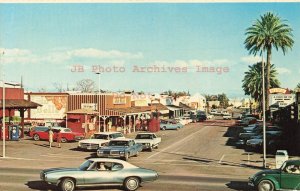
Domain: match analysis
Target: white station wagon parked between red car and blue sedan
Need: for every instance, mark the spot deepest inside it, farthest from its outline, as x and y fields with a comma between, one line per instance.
x=99, y=140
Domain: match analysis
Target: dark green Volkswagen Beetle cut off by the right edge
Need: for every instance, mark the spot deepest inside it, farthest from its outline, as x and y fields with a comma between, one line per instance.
x=284, y=178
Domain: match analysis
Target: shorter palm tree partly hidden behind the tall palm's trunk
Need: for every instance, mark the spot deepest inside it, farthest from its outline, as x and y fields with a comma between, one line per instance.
x=252, y=82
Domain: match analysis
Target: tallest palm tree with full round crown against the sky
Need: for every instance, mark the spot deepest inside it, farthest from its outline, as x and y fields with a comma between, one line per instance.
x=266, y=33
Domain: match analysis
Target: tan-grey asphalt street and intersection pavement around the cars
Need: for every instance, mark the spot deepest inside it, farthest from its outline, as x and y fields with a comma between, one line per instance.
x=193, y=158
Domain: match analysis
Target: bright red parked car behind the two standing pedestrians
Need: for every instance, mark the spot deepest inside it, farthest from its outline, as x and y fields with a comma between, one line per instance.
x=42, y=133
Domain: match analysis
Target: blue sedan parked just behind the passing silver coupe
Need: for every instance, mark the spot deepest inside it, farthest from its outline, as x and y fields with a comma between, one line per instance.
x=123, y=149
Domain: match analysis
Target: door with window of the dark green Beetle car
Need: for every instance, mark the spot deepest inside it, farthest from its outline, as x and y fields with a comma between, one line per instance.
x=290, y=179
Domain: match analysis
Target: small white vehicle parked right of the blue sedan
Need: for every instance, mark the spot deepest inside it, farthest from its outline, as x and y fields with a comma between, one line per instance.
x=148, y=140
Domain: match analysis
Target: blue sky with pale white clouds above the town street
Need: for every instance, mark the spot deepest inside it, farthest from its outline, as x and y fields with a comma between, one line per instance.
x=42, y=42
